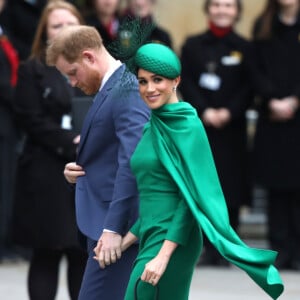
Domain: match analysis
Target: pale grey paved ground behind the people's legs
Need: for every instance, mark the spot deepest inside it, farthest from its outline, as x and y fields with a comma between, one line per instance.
x=208, y=284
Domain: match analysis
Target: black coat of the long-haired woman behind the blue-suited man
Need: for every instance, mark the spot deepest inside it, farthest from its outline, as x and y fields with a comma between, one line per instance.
x=44, y=214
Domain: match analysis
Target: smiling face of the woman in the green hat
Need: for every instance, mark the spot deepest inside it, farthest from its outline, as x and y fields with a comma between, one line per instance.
x=156, y=90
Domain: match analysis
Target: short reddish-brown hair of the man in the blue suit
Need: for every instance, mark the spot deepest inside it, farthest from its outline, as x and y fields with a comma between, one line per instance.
x=71, y=42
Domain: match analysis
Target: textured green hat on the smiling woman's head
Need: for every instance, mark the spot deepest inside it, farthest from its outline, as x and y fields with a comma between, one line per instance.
x=158, y=59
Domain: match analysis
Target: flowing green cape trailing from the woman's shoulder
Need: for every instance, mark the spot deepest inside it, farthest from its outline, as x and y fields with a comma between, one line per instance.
x=183, y=148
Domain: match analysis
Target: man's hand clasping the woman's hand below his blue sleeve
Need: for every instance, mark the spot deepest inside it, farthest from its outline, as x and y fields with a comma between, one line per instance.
x=108, y=249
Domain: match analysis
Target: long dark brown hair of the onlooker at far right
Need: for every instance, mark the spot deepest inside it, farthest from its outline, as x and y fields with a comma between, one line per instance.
x=264, y=26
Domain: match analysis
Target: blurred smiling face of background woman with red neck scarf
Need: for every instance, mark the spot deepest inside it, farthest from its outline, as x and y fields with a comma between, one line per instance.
x=223, y=13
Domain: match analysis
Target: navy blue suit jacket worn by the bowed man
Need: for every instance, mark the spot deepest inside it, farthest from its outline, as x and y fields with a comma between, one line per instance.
x=106, y=197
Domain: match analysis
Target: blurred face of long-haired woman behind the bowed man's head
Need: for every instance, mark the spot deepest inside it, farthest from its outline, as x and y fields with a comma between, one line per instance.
x=58, y=19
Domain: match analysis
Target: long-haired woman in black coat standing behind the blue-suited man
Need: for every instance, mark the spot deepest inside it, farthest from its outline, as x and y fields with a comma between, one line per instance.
x=44, y=212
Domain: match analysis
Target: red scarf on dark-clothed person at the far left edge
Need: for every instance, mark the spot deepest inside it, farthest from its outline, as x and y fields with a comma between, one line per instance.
x=12, y=57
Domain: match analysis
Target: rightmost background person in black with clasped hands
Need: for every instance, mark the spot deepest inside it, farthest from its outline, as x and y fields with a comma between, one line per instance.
x=276, y=36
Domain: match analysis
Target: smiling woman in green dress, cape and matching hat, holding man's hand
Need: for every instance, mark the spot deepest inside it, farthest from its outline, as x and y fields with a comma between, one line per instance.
x=180, y=193
